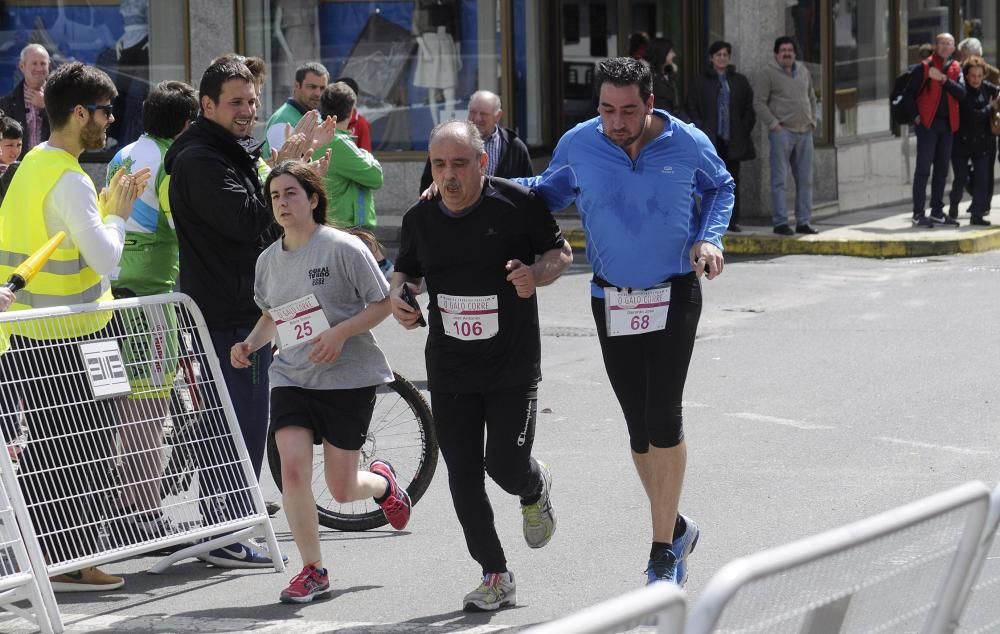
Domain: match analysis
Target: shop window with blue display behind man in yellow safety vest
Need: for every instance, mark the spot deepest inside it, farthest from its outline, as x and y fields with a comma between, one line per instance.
x=135, y=41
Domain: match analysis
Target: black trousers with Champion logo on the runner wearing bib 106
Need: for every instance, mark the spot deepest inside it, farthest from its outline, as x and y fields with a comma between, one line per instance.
x=507, y=418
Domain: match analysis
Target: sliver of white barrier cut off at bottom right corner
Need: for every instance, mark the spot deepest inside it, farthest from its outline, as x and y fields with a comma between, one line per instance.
x=978, y=610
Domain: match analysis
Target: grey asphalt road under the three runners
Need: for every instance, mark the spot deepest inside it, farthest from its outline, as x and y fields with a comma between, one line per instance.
x=822, y=390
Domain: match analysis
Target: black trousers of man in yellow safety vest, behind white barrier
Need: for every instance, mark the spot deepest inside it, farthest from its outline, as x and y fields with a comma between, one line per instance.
x=65, y=470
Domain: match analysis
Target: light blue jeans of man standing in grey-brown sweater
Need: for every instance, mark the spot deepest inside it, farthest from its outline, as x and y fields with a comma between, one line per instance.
x=791, y=149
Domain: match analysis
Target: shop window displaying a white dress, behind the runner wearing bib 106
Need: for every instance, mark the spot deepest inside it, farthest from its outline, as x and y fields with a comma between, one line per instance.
x=416, y=62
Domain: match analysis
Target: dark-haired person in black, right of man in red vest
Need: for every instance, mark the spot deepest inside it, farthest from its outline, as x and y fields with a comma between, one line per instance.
x=974, y=142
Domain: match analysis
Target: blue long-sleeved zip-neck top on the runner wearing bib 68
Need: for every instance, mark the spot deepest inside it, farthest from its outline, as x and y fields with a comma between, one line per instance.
x=640, y=218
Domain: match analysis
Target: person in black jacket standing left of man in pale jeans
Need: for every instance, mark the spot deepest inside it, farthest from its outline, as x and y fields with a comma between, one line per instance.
x=721, y=105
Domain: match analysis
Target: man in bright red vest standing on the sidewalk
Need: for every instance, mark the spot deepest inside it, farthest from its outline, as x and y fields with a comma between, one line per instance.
x=936, y=88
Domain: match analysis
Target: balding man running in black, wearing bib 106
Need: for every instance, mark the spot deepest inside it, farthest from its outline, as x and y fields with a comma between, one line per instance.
x=476, y=245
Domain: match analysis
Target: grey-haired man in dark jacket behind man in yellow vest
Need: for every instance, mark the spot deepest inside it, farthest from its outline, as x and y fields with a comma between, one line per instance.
x=26, y=103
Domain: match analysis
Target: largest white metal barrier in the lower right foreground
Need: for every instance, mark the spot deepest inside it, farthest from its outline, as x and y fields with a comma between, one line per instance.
x=900, y=571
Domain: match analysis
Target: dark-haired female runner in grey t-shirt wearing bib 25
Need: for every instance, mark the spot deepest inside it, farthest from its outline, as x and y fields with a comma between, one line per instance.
x=321, y=293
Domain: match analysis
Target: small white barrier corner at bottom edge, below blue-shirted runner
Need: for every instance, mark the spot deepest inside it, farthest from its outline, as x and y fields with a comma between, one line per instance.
x=661, y=604
